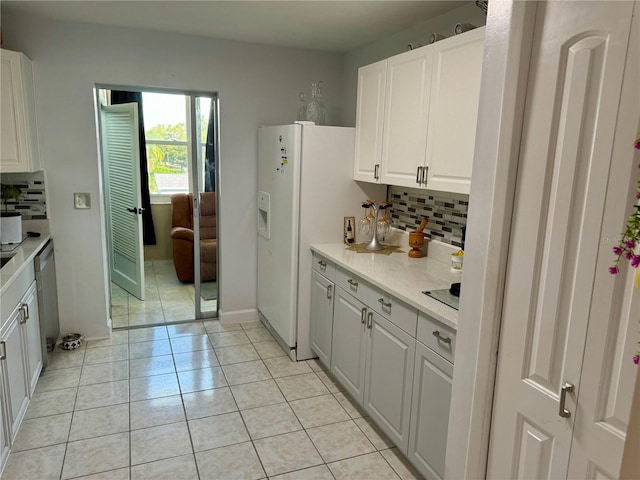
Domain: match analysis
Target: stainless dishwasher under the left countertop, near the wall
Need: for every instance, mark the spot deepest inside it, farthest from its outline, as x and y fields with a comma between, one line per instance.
x=45, y=266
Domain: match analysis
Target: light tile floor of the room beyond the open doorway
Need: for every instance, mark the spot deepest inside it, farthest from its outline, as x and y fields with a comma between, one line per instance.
x=166, y=299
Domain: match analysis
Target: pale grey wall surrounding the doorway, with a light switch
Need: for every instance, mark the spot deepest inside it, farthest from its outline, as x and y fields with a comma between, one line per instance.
x=256, y=85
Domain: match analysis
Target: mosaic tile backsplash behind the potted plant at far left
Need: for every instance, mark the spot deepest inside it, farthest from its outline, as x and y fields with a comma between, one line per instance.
x=32, y=204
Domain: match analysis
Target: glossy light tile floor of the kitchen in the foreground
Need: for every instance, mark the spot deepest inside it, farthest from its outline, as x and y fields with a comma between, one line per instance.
x=193, y=401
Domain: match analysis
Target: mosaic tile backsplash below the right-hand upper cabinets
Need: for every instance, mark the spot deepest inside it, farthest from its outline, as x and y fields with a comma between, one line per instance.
x=447, y=212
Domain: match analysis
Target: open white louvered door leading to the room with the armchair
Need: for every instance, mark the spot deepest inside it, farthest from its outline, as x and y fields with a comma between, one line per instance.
x=121, y=158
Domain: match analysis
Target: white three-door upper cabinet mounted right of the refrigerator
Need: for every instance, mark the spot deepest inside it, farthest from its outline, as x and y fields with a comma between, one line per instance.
x=417, y=114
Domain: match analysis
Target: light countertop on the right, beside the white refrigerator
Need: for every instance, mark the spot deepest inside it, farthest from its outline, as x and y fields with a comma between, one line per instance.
x=401, y=276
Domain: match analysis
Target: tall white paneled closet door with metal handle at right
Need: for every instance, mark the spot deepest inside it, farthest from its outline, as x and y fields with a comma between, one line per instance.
x=571, y=195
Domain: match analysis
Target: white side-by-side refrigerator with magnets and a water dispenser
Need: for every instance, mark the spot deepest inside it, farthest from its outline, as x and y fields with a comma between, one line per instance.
x=305, y=189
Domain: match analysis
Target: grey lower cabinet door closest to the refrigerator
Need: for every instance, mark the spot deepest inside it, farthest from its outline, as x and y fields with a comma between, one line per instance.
x=322, y=291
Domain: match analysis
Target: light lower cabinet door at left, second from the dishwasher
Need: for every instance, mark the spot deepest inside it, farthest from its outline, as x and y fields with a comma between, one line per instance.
x=14, y=372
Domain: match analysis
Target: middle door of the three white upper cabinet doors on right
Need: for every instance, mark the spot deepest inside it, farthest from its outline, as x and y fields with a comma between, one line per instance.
x=405, y=121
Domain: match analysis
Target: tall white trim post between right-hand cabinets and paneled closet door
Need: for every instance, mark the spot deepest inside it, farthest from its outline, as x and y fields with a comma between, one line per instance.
x=509, y=32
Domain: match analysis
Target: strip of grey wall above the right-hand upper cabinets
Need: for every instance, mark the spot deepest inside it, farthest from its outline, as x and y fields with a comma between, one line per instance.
x=395, y=44
